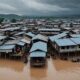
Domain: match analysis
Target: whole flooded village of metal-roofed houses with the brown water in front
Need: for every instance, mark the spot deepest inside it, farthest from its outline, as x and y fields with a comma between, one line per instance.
x=40, y=49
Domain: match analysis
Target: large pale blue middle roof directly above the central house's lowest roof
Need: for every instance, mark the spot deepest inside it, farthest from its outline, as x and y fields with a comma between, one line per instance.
x=39, y=46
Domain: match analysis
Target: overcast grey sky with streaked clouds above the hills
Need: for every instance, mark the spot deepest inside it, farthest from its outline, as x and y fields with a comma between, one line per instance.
x=40, y=7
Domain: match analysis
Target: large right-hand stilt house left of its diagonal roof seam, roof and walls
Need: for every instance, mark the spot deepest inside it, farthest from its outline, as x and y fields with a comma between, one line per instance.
x=65, y=47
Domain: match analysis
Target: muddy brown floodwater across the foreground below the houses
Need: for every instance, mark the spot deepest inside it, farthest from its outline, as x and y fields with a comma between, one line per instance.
x=55, y=70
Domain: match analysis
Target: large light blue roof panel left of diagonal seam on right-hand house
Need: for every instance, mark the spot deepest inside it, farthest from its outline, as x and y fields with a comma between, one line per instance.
x=64, y=42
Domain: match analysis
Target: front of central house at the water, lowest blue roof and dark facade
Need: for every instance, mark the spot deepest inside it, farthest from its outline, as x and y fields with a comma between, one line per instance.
x=37, y=58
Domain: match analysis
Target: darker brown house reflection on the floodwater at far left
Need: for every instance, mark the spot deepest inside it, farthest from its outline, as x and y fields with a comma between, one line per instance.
x=13, y=65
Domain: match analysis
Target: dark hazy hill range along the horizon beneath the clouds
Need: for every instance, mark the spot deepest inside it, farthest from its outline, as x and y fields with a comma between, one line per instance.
x=11, y=16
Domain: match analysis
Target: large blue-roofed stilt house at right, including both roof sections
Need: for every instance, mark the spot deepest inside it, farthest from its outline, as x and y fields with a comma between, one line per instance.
x=67, y=48
